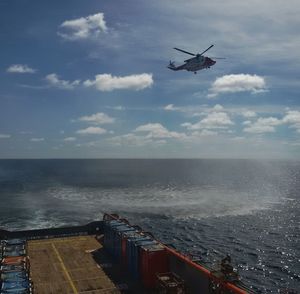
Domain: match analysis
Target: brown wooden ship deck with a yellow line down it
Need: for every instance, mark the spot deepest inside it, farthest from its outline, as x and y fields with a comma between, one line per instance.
x=66, y=265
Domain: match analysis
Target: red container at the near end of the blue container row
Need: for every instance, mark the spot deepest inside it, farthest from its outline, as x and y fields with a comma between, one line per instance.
x=153, y=260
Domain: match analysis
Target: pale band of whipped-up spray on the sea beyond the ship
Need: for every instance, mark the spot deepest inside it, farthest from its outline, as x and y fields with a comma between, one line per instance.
x=191, y=202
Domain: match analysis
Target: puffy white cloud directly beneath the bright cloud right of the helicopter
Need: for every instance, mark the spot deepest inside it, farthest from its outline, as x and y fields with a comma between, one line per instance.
x=214, y=120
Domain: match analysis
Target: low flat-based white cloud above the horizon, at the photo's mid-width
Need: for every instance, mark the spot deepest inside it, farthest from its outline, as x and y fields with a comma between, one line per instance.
x=156, y=130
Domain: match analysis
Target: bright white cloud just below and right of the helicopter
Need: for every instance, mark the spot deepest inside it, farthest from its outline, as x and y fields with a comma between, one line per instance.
x=237, y=83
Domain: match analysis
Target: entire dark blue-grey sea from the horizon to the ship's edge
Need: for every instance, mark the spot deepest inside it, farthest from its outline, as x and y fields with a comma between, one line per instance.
x=206, y=208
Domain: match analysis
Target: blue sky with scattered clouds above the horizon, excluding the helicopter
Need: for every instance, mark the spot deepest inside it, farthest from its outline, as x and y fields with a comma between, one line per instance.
x=89, y=79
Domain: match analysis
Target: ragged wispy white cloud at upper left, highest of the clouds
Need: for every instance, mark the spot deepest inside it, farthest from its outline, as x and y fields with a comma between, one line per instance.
x=84, y=27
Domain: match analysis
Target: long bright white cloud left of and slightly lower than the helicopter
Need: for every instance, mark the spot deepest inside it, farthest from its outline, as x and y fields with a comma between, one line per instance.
x=107, y=82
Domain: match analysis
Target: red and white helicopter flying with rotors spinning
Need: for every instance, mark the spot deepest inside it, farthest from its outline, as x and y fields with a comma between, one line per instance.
x=195, y=63
